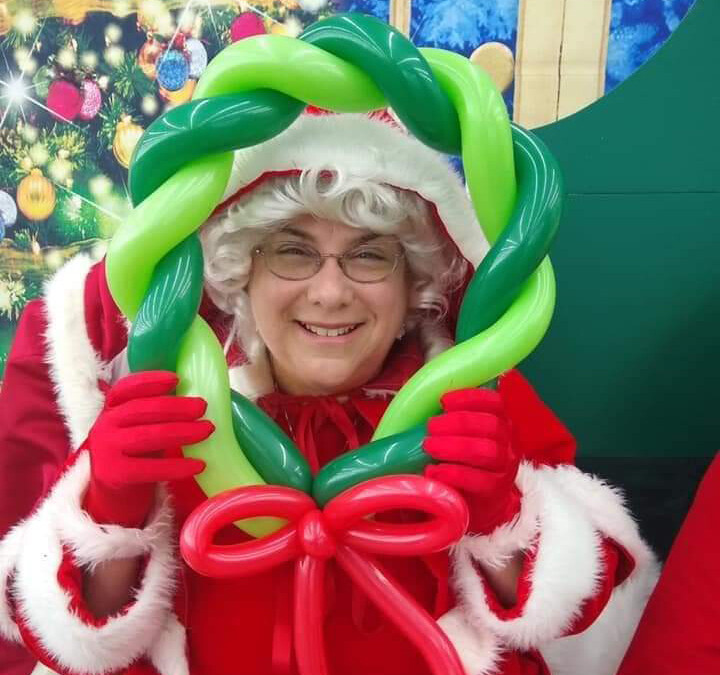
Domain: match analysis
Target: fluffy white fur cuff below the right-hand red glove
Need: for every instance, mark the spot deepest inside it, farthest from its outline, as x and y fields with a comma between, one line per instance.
x=565, y=569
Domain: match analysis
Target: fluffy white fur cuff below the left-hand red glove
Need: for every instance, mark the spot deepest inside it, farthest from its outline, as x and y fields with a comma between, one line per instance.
x=61, y=523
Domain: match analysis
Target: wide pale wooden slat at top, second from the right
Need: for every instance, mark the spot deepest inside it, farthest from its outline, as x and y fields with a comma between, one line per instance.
x=537, y=64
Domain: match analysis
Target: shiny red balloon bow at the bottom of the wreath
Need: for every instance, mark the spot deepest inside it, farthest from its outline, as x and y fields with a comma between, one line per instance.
x=342, y=530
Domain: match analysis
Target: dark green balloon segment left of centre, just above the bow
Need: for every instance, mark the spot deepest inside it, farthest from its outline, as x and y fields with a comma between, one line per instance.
x=273, y=455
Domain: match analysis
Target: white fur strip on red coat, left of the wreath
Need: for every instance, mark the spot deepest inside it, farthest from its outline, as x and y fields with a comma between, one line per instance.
x=74, y=366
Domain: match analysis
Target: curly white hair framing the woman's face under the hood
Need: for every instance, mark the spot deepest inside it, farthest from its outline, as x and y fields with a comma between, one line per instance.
x=228, y=240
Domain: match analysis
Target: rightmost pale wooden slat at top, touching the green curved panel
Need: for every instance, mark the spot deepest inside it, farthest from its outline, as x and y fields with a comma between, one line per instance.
x=584, y=54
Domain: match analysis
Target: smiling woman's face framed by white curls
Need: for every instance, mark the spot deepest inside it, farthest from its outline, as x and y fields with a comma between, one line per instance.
x=294, y=317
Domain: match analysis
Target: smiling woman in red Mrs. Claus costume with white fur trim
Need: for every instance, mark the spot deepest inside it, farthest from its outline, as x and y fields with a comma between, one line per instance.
x=330, y=270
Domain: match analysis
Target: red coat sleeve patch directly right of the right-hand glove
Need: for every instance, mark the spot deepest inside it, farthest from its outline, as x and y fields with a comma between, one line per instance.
x=537, y=434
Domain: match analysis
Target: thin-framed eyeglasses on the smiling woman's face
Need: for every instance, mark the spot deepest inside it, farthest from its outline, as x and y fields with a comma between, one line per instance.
x=296, y=261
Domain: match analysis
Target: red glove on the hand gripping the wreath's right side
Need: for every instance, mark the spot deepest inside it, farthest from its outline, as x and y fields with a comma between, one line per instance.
x=472, y=442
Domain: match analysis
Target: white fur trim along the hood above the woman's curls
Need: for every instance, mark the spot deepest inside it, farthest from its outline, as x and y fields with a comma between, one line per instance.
x=368, y=149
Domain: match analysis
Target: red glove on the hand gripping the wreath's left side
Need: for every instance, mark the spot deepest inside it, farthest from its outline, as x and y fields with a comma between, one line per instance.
x=128, y=444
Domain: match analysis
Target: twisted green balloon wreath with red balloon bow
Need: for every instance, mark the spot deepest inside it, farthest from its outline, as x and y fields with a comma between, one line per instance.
x=250, y=92
